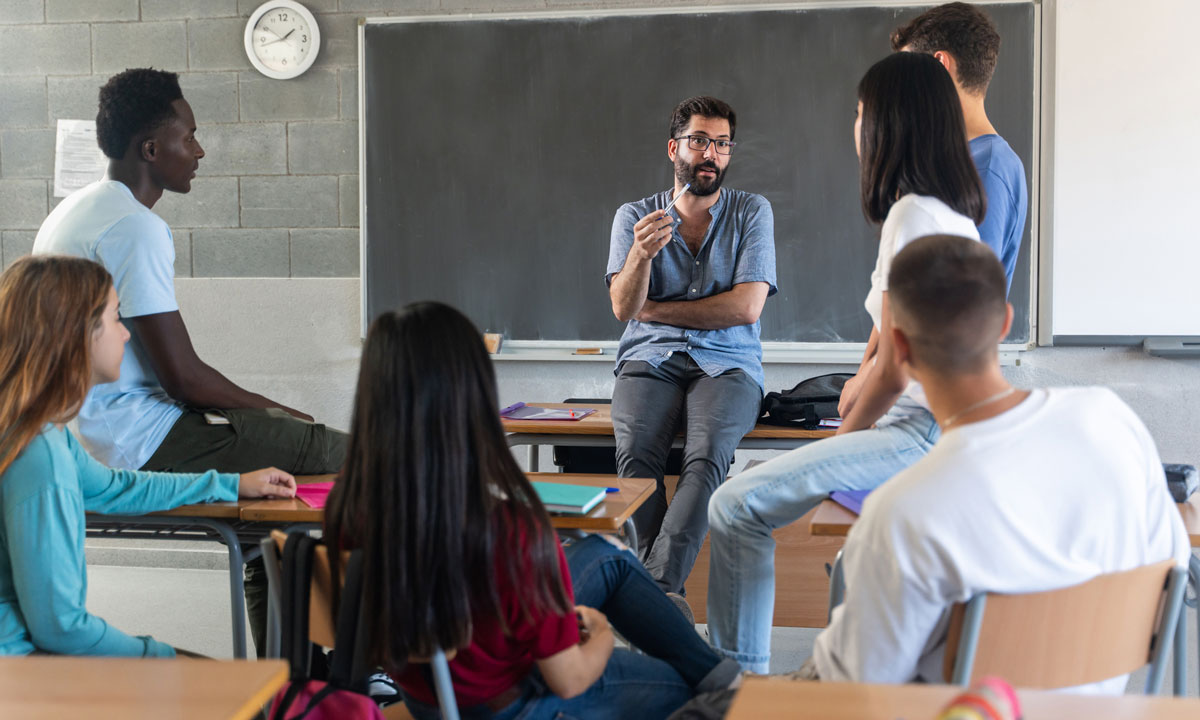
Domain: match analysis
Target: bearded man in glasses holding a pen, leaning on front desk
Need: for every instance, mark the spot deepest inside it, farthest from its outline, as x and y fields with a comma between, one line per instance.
x=691, y=287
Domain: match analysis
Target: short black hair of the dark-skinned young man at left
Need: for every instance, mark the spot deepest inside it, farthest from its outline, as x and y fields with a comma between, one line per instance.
x=135, y=103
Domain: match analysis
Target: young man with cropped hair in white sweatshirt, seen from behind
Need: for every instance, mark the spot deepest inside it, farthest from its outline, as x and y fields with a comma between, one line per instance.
x=1025, y=491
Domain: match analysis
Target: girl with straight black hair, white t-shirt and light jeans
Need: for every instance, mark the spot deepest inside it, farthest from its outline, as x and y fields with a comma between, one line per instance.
x=917, y=179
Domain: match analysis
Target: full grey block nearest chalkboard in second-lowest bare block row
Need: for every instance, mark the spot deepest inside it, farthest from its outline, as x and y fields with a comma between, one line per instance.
x=291, y=202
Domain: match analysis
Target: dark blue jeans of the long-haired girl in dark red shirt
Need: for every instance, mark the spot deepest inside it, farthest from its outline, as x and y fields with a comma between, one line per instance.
x=677, y=663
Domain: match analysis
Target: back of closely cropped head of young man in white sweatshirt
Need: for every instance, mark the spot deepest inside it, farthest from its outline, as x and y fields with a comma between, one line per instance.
x=947, y=296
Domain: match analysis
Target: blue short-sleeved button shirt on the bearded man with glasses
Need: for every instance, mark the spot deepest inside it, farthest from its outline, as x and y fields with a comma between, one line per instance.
x=740, y=248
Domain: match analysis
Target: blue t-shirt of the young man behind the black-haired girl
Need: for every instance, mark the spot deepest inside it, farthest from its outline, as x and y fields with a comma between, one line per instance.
x=1009, y=201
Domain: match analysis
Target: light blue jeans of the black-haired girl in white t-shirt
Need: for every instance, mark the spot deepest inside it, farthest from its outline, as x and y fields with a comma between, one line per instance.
x=746, y=512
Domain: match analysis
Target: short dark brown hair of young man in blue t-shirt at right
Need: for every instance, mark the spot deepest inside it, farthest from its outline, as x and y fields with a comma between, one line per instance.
x=964, y=32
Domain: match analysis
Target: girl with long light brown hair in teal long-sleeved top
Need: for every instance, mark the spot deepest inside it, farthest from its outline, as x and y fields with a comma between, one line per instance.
x=61, y=335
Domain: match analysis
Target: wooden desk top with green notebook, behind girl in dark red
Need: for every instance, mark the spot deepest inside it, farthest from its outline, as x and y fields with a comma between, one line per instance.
x=609, y=517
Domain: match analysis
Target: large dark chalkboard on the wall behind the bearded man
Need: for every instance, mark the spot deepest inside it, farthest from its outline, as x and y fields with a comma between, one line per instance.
x=497, y=151
